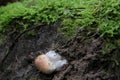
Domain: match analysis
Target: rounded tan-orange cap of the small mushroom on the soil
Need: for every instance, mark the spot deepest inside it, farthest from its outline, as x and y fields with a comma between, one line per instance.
x=44, y=64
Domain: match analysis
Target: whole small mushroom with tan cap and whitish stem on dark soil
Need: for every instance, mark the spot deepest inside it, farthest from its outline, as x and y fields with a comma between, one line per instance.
x=49, y=62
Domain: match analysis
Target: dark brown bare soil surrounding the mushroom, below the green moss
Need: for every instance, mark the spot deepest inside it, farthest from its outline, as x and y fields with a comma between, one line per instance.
x=83, y=54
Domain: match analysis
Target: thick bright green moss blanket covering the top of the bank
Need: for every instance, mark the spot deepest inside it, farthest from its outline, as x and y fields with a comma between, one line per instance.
x=81, y=13
